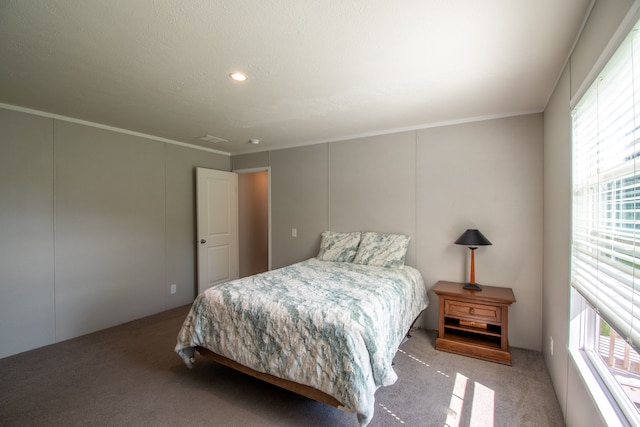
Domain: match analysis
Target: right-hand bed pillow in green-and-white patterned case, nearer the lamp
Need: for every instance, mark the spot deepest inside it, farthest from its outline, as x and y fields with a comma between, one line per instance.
x=382, y=250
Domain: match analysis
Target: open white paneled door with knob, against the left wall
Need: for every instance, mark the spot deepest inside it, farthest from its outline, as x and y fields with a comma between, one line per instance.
x=217, y=206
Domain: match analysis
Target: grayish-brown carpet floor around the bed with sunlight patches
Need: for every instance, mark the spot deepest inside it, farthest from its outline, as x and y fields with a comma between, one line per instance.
x=129, y=375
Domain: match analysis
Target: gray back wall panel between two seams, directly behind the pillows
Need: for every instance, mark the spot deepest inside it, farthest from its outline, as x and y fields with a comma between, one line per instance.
x=372, y=186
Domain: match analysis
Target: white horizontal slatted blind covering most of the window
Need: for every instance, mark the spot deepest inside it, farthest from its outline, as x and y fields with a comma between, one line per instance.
x=606, y=192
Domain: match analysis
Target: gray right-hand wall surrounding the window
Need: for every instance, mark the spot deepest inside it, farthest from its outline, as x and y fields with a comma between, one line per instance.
x=574, y=398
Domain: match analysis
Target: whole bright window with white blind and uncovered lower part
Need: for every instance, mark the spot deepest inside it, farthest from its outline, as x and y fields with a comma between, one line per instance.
x=606, y=228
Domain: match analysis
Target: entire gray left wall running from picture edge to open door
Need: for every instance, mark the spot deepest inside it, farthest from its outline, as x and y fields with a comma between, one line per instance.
x=94, y=227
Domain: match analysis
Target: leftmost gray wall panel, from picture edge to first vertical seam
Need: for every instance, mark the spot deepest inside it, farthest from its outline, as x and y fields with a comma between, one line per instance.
x=27, y=310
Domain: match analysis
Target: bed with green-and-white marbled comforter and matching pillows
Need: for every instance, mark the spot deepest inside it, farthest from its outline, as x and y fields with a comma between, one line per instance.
x=326, y=328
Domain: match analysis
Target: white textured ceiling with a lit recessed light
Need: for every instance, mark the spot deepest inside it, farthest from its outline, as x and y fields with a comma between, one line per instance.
x=318, y=70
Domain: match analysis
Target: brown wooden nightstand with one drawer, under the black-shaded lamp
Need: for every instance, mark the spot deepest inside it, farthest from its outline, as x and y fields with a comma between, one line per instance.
x=474, y=323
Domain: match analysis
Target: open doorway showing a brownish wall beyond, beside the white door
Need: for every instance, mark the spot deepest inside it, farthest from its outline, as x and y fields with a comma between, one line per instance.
x=254, y=221
